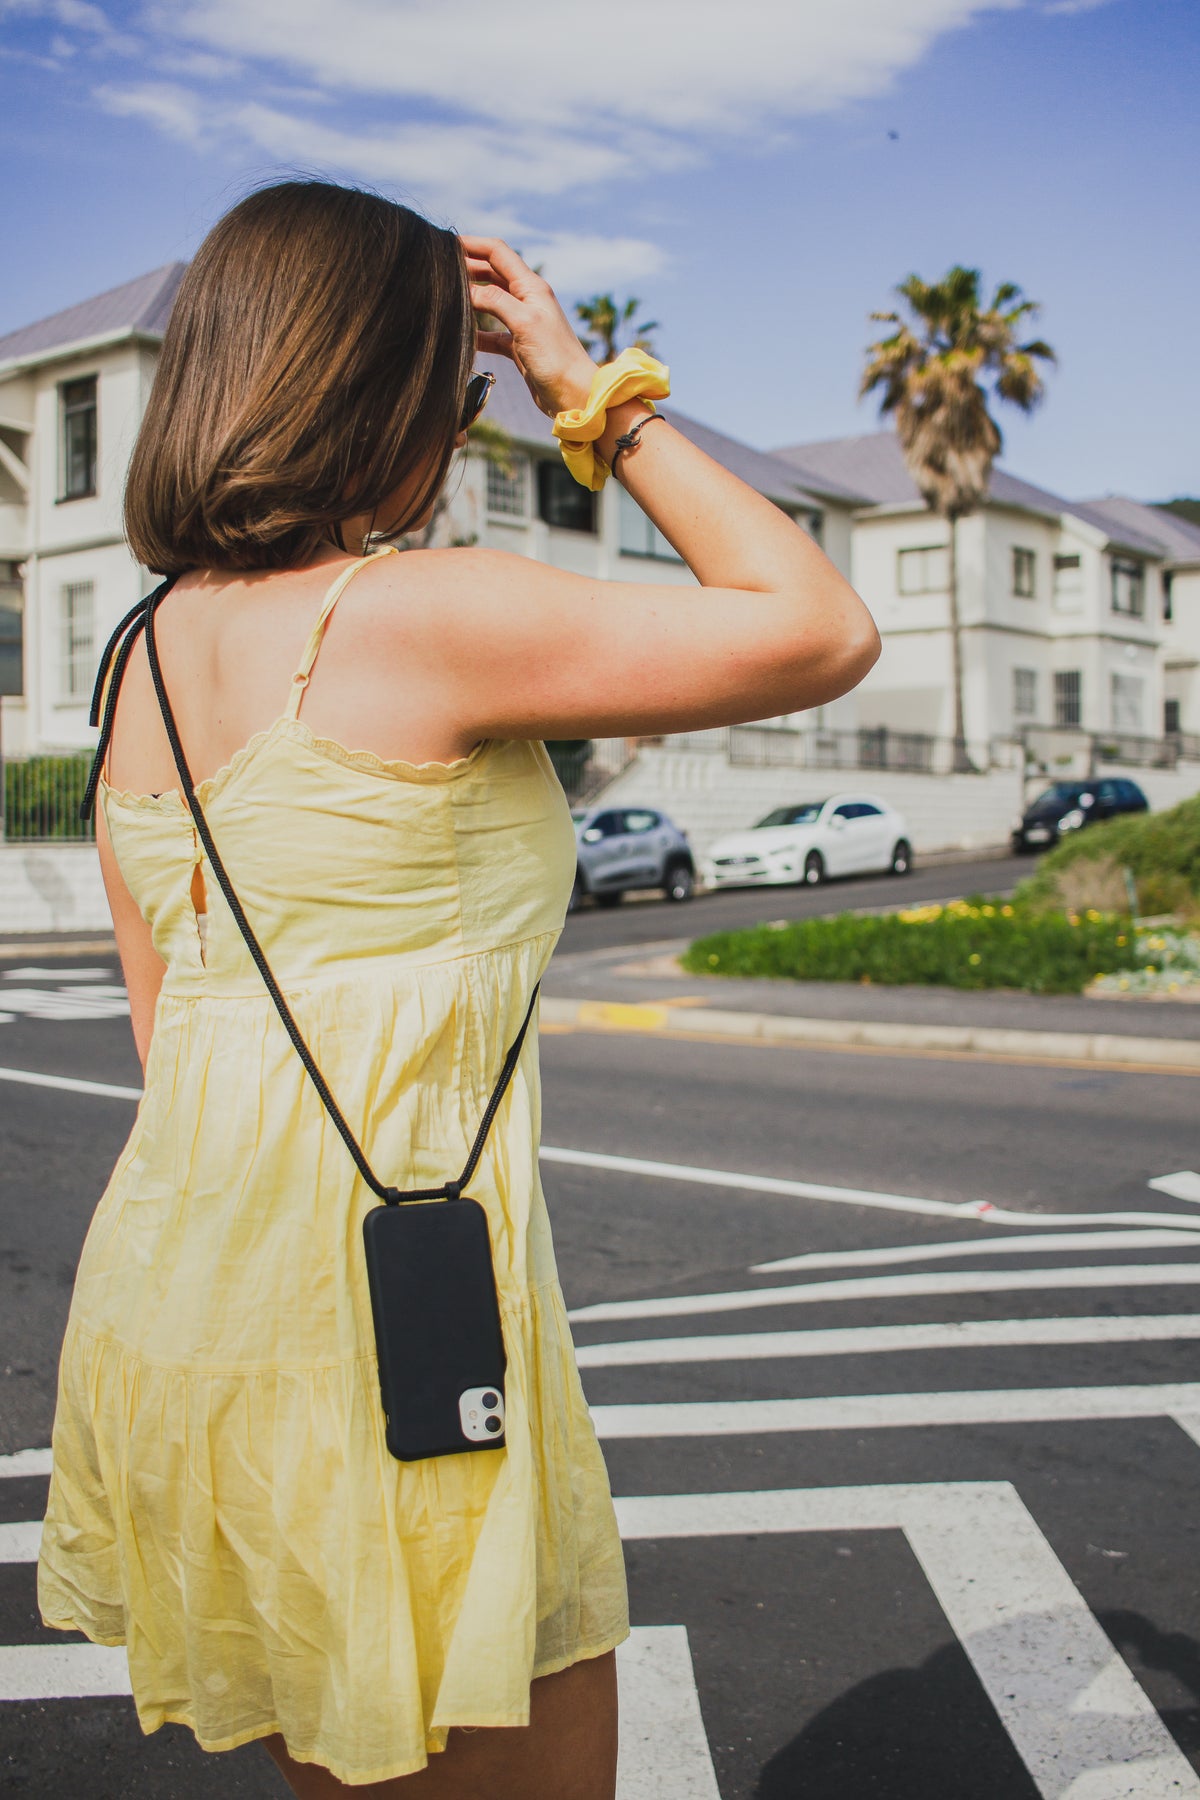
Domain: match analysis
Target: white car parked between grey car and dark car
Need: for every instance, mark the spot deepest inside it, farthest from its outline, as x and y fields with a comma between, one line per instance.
x=848, y=834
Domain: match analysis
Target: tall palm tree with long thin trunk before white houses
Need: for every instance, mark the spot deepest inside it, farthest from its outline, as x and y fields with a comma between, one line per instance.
x=933, y=373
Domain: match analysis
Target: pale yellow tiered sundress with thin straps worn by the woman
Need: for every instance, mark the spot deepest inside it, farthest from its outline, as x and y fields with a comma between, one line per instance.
x=222, y=1500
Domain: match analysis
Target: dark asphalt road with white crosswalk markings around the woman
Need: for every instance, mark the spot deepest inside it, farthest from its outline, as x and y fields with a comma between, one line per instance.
x=915, y=1516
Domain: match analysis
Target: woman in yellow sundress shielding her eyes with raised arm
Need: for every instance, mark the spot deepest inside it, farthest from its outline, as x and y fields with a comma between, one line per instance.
x=366, y=735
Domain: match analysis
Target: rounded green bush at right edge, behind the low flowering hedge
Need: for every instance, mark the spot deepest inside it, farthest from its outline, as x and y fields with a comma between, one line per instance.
x=1161, y=849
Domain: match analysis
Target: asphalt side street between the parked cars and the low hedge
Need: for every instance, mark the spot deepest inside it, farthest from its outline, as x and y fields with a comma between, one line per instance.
x=647, y=919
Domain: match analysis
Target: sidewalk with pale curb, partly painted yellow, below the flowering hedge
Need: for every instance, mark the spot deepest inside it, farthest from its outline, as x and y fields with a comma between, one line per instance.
x=645, y=991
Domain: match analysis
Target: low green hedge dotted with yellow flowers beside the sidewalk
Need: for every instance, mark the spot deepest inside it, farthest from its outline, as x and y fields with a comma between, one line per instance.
x=971, y=944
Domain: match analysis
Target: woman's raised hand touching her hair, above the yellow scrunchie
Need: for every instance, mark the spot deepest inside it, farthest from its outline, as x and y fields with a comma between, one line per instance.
x=535, y=334
